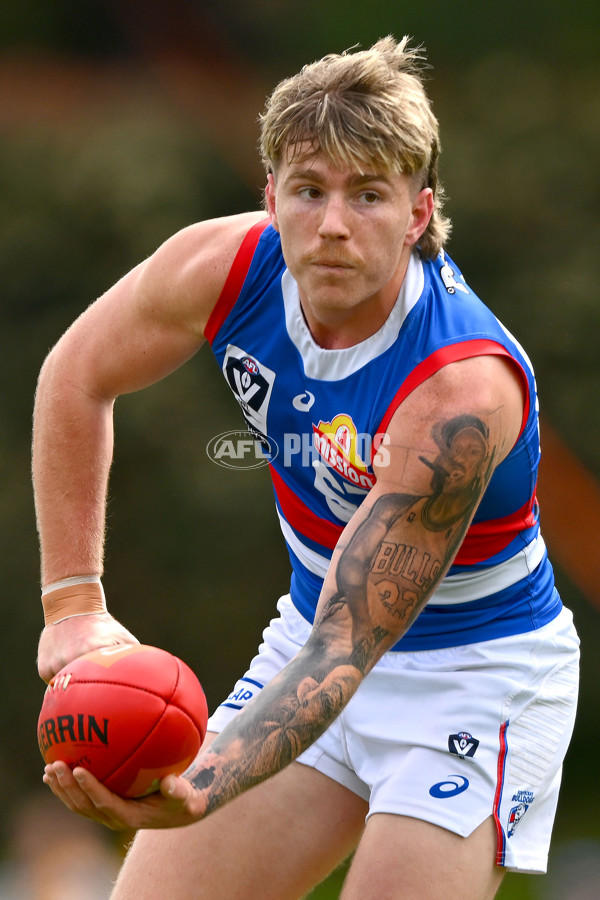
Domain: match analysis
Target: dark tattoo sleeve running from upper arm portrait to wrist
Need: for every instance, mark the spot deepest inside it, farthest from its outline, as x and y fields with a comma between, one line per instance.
x=380, y=579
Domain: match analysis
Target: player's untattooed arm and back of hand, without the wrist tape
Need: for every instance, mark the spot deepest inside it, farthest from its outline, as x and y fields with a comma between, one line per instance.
x=143, y=328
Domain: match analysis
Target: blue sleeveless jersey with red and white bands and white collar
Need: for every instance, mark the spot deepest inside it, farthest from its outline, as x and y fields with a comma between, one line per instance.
x=322, y=414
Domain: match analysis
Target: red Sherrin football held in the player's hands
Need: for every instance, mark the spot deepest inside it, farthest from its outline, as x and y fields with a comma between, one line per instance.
x=128, y=714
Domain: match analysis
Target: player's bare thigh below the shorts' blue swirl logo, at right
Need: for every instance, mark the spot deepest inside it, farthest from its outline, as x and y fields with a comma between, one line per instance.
x=400, y=857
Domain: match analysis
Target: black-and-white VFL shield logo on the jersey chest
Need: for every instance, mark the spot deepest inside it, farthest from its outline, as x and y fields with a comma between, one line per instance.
x=251, y=383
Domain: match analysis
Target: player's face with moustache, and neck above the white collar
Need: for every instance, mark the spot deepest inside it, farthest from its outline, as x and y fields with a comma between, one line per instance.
x=346, y=237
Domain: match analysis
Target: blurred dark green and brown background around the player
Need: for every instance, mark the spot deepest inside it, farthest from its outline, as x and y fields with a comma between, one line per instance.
x=121, y=122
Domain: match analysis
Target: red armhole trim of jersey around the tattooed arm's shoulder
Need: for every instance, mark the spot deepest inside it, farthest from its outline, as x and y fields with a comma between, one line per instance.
x=437, y=361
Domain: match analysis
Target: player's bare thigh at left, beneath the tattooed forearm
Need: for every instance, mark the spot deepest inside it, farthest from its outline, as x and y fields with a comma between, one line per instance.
x=274, y=842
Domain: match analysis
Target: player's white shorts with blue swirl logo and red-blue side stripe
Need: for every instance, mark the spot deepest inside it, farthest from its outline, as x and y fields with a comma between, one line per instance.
x=449, y=736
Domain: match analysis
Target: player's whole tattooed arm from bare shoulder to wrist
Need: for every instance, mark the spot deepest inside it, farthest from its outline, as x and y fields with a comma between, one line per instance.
x=390, y=559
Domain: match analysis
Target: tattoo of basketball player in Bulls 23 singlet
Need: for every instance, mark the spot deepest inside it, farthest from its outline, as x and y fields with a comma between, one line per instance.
x=396, y=557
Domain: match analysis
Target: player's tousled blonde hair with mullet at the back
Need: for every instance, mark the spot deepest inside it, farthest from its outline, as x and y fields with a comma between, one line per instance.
x=364, y=108
